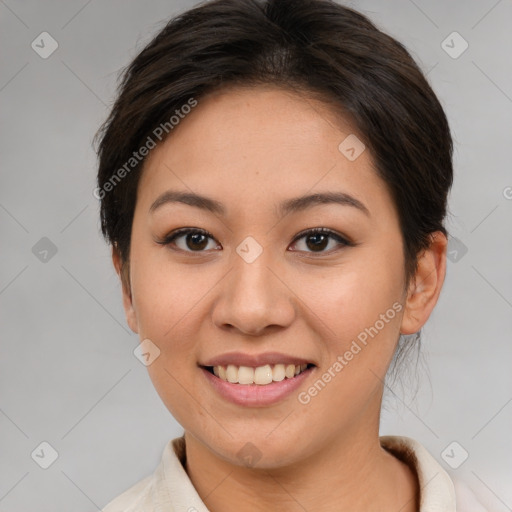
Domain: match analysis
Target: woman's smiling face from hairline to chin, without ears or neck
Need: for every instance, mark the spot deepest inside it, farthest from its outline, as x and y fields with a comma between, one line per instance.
x=251, y=283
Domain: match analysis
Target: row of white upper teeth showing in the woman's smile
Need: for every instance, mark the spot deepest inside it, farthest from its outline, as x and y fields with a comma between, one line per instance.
x=261, y=375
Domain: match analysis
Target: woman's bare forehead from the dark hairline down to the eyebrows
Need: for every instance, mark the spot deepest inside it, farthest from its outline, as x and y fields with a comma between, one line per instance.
x=244, y=145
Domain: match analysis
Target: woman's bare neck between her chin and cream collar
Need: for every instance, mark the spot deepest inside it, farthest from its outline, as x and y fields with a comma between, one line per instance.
x=351, y=472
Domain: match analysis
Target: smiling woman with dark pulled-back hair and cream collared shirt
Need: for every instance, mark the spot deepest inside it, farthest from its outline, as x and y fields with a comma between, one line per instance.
x=273, y=180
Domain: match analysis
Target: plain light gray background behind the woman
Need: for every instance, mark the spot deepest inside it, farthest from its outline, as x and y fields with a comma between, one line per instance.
x=68, y=375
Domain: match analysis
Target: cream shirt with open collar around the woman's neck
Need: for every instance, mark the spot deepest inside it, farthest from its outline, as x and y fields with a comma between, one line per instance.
x=169, y=489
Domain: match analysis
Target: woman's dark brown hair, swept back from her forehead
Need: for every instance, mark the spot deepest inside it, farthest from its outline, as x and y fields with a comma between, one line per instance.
x=316, y=47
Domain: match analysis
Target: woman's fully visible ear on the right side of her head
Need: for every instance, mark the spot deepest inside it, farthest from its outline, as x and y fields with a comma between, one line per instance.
x=425, y=285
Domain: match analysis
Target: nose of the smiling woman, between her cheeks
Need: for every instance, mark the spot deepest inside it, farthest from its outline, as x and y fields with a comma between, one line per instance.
x=253, y=298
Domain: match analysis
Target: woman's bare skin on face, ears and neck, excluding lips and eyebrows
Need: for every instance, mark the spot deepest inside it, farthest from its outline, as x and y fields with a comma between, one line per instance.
x=251, y=149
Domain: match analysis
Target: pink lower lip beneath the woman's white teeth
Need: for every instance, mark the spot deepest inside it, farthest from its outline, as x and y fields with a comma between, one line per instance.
x=256, y=395
